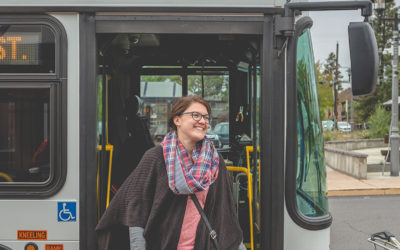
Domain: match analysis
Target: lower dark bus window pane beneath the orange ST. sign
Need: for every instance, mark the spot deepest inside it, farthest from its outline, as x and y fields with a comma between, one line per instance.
x=24, y=135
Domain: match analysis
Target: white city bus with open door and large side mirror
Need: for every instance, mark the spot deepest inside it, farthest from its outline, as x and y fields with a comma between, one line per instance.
x=86, y=87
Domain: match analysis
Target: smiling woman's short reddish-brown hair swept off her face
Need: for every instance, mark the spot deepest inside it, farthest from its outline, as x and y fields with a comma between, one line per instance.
x=181, y=104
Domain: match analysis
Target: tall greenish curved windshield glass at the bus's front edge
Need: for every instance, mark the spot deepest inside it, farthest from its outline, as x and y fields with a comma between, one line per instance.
x=311, y=176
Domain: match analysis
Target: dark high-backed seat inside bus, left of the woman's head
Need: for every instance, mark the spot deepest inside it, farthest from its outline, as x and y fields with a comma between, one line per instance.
x=135, y=145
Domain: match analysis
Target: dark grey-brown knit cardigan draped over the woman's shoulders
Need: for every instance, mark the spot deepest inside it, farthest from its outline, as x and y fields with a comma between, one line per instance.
x=145, y=200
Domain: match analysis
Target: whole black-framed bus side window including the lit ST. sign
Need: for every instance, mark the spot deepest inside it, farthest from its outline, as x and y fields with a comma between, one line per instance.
x=33, y=121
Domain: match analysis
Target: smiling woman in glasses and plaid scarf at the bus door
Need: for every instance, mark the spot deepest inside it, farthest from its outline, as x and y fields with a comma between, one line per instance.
x=154, y=202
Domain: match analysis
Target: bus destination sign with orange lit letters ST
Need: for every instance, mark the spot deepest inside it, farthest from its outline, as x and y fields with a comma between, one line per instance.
x=19, y=48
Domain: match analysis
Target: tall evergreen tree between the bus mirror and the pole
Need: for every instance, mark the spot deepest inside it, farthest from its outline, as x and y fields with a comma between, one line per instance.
x=365, y=106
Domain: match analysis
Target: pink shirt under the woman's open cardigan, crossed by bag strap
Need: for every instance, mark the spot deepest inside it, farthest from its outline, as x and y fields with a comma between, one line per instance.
x=190, y=222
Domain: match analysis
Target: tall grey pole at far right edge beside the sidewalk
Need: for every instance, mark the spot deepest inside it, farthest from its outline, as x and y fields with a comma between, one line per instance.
x=394, y=135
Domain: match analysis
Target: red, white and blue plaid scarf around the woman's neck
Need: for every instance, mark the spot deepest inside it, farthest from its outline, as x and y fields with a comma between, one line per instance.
x=185, y=176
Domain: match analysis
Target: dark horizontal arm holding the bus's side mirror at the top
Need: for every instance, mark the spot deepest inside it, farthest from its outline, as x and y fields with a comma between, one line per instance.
x=365, y=6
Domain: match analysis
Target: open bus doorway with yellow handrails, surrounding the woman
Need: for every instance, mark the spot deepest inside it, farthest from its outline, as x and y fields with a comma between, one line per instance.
x=143, y=69
